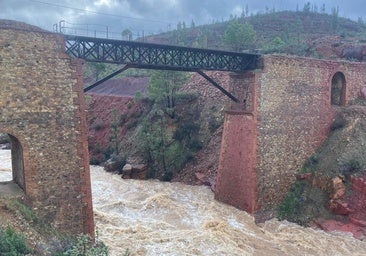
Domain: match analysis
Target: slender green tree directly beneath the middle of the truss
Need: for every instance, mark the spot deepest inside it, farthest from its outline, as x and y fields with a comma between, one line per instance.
x=163, y=89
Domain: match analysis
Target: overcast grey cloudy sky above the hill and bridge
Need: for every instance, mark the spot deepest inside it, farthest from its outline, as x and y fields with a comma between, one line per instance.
x=151, y=16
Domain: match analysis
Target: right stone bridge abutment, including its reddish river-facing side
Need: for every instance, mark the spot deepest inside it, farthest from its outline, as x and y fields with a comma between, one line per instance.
x=263, y=146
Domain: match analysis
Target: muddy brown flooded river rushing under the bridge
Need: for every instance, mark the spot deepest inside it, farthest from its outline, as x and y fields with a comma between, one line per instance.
x=154, y=218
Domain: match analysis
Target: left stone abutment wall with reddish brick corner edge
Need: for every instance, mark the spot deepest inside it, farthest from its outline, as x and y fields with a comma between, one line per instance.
x=42, y=107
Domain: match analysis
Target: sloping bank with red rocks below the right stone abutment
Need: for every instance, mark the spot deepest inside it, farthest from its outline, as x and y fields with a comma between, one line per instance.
x=330, y=191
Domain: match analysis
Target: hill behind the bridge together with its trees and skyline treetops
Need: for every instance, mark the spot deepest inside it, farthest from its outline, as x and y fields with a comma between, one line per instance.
x=272, y=31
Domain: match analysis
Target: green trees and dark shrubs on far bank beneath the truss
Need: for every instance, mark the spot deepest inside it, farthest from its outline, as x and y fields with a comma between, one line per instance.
x=166, y=139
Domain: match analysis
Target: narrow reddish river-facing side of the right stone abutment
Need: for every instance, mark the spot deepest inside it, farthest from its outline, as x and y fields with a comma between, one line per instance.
x=236, y=178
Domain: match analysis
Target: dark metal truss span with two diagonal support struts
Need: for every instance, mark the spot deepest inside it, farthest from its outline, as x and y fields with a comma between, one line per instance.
x=155, y=56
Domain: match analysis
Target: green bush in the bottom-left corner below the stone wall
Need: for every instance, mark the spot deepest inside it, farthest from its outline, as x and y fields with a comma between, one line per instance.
x=12, y=243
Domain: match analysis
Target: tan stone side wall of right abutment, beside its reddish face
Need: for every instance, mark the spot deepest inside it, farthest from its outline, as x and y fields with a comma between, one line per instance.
x=294, y=117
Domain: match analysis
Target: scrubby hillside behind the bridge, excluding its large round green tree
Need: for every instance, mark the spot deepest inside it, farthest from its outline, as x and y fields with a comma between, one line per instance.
x=300, y=32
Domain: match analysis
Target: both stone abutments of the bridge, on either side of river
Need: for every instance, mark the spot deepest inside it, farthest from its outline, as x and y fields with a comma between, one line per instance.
x=283, y=113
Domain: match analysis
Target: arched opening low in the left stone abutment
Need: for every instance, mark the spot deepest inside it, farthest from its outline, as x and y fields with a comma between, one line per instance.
x=12, y=167
